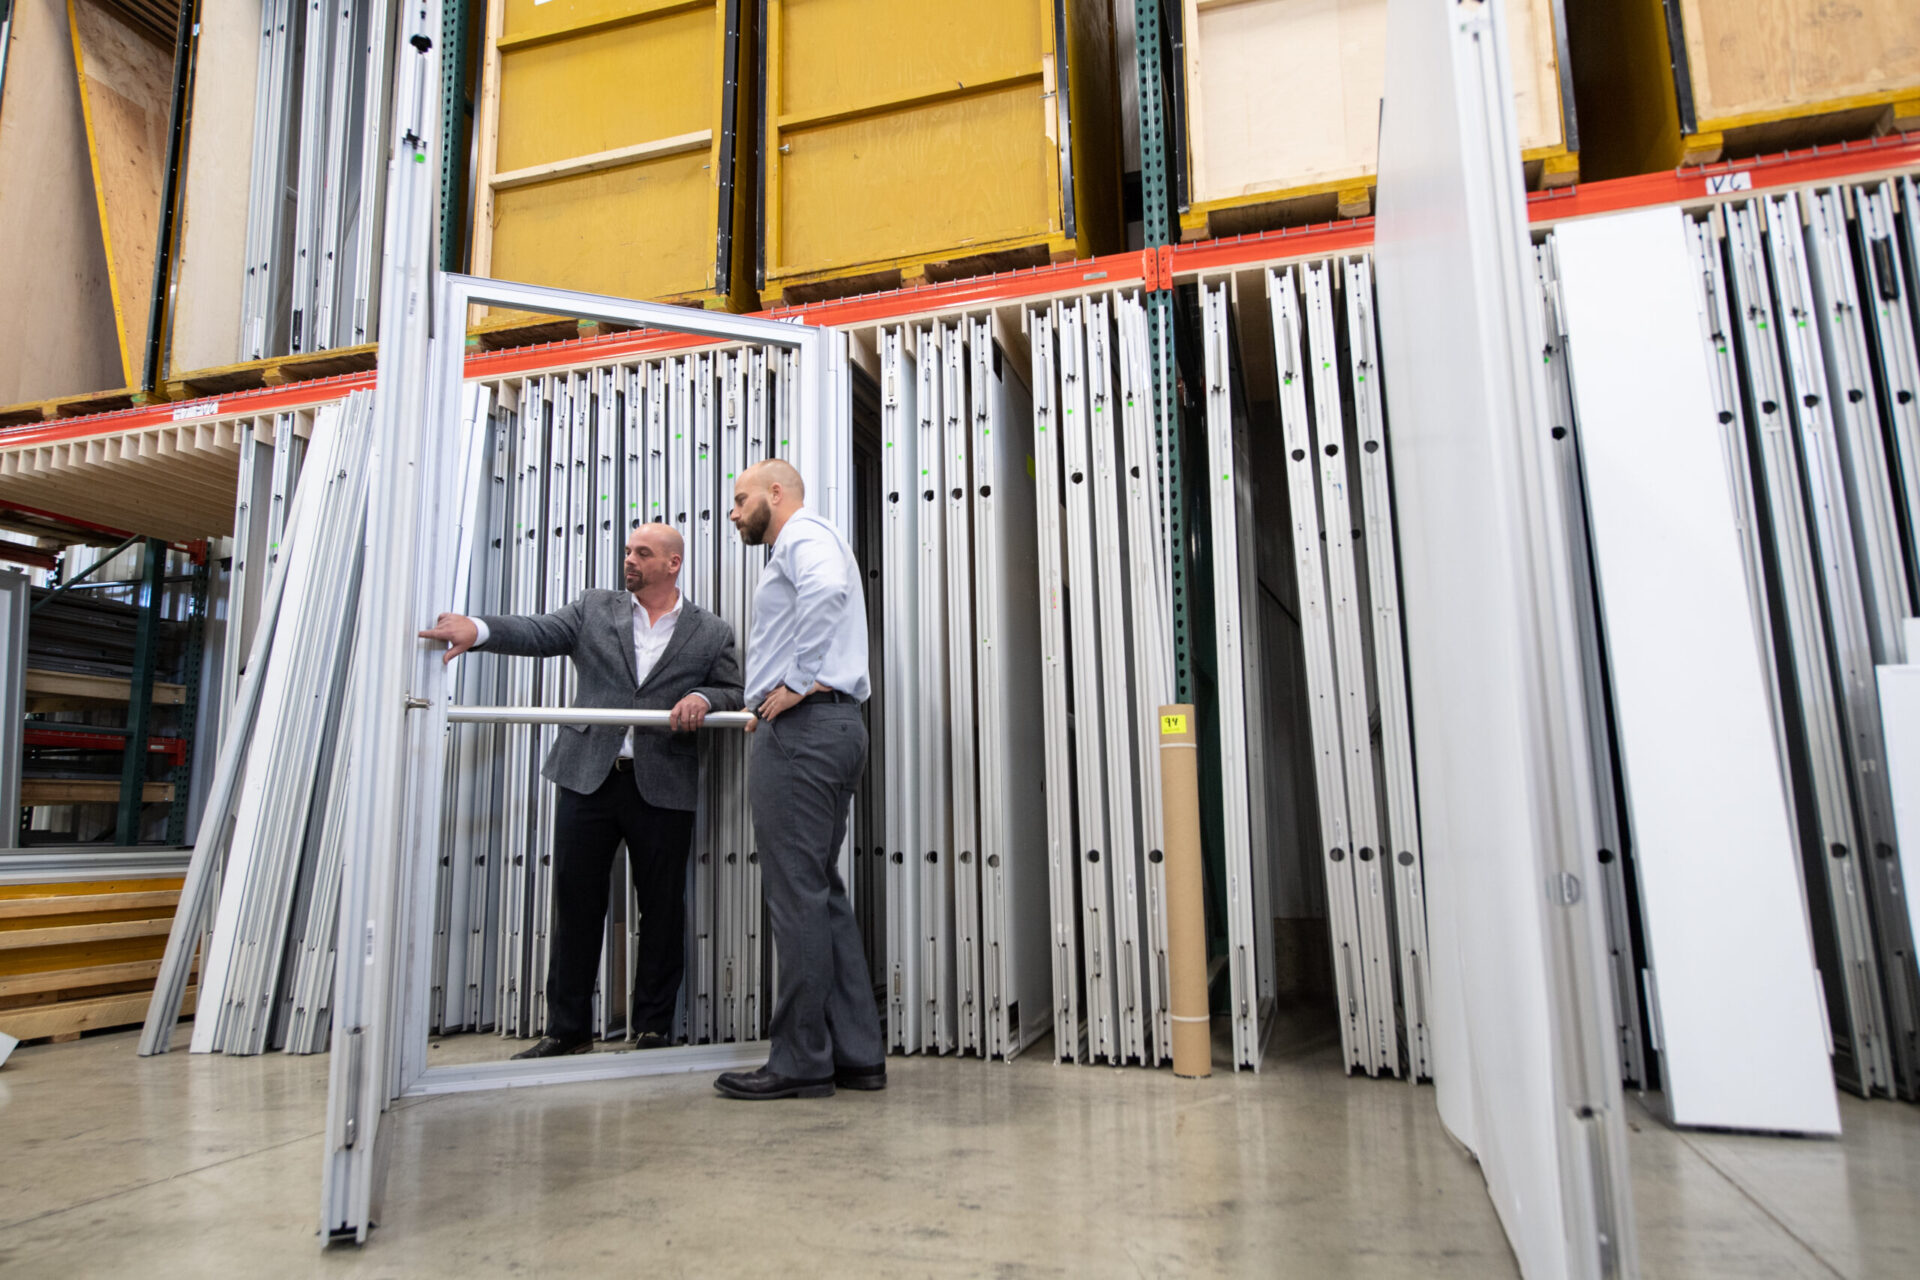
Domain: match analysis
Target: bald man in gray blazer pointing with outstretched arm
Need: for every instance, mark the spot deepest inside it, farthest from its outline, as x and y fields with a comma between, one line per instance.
x=638, y=650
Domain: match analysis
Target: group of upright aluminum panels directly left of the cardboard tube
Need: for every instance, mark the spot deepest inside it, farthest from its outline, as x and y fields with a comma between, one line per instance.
x=1107, y=671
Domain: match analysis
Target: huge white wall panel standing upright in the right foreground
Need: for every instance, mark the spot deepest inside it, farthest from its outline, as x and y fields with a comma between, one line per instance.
x=1524, y=1041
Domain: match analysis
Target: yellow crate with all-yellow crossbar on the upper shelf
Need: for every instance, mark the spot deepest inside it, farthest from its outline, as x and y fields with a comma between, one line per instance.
x=930, y=141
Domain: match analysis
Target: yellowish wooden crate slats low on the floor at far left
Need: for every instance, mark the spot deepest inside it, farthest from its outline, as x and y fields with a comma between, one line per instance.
x=82, y=957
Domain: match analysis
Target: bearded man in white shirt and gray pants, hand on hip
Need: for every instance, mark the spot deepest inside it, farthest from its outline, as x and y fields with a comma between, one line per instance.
x=805, y=684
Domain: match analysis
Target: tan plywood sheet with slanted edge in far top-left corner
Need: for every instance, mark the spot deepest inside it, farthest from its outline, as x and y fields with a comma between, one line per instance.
x=59, y=335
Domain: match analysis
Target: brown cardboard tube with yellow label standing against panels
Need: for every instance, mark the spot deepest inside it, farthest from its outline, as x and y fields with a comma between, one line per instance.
x=1180, y=807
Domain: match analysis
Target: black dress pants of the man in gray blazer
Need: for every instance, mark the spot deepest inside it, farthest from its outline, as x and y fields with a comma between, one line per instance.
x=587, y=832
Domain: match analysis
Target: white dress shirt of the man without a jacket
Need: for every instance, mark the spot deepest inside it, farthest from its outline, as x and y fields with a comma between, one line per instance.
x=809, y=615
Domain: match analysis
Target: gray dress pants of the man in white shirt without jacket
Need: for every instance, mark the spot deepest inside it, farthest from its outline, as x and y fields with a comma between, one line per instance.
x=805, y=769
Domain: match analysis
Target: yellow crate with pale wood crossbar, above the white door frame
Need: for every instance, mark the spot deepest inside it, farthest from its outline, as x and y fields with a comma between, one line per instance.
x=612, y=149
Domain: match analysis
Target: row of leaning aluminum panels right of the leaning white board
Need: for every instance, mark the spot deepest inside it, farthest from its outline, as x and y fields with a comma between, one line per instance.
x=1812, y=316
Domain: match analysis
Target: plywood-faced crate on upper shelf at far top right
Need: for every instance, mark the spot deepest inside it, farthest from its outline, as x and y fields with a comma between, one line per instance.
x=1739, y=78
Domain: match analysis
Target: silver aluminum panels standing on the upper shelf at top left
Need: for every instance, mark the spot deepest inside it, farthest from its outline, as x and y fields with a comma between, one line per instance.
x=320, y=178
